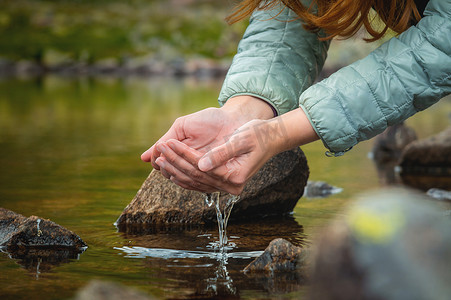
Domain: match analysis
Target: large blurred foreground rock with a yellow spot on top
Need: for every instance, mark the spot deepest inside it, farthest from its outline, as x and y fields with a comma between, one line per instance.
x=392, y=244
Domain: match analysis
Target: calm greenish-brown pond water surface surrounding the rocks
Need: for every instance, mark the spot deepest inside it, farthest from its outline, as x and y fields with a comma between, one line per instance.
x=69, y=152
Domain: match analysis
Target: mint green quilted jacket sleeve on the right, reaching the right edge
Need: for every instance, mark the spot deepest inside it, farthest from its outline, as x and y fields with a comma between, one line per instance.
x=405, y=75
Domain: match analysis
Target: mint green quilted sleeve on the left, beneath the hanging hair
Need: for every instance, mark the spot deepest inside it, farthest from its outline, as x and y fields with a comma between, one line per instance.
x=277, y=60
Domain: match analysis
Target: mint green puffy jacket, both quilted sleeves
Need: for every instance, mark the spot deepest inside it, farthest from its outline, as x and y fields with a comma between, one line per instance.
x=279, y=61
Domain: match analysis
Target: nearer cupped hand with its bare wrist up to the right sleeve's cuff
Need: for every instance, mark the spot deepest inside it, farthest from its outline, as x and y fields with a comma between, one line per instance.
x=229, y=166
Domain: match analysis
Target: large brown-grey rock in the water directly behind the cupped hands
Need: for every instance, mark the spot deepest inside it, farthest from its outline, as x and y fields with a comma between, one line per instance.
x=274, y=190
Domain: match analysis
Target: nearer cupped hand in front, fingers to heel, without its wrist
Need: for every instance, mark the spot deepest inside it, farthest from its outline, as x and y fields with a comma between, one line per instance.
x=227, y=167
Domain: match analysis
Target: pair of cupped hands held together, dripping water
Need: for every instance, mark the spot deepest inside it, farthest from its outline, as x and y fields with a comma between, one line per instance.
x=213, y=149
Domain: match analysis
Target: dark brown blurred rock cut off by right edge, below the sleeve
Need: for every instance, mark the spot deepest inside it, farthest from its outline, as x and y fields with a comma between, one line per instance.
x=426, y=163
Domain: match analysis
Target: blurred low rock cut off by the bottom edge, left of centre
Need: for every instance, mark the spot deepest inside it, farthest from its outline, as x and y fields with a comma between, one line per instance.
x=102, y=290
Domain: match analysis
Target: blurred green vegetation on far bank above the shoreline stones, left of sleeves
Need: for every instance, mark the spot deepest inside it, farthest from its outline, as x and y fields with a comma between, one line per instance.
x=88, y=31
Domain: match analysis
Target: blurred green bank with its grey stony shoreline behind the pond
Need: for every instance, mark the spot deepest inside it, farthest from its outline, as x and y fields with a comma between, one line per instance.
x=138, y=37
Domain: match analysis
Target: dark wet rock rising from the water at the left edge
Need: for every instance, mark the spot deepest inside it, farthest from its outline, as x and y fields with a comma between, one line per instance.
x=17, y=231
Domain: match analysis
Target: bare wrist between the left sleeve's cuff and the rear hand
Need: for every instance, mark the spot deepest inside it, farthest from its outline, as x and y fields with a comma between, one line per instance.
x=246, y=108
